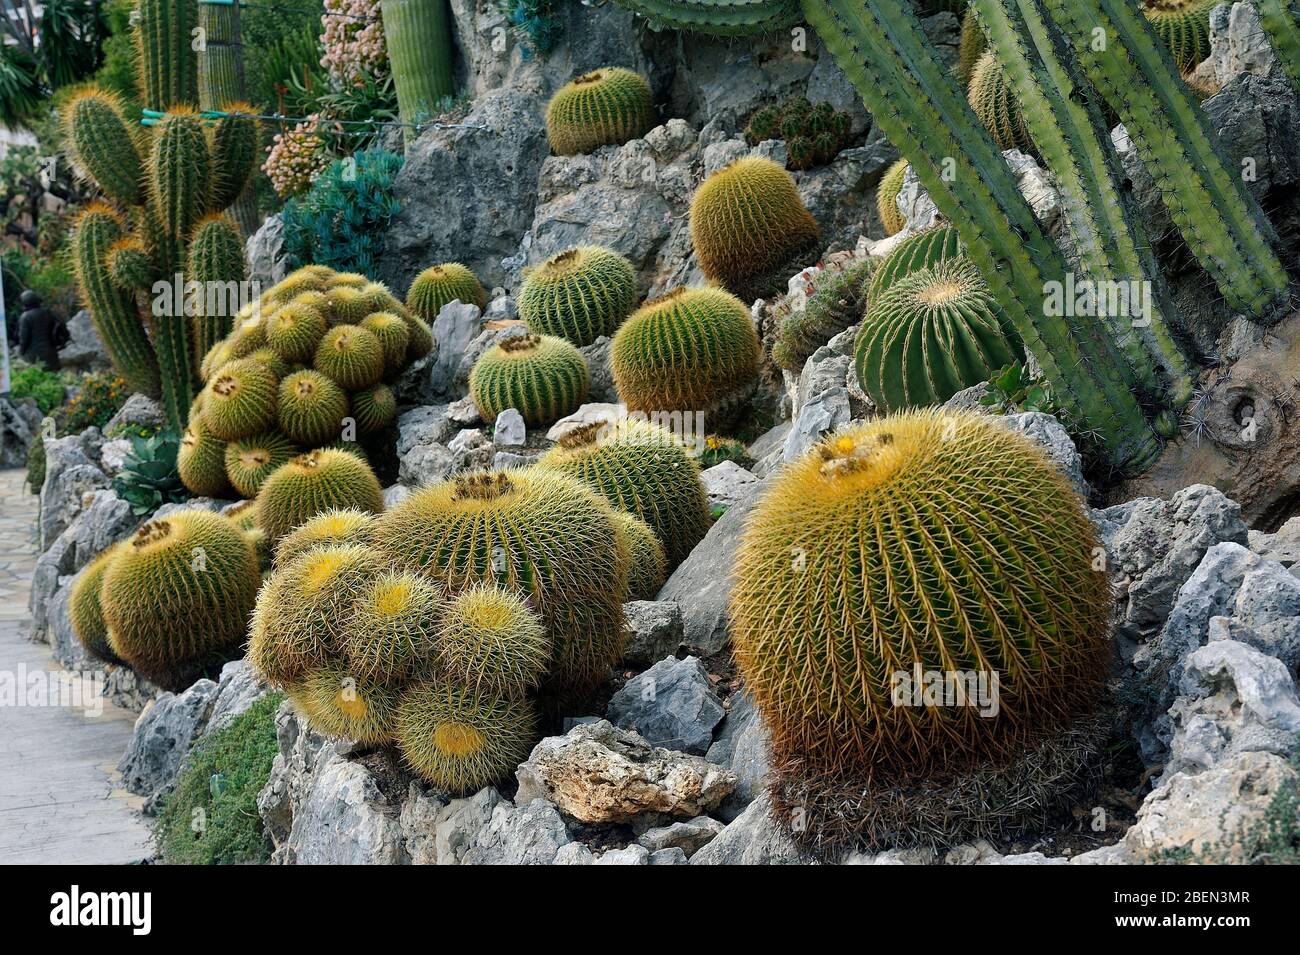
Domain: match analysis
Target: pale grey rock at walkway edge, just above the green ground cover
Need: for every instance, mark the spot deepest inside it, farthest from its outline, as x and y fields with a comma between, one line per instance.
x=162, y=739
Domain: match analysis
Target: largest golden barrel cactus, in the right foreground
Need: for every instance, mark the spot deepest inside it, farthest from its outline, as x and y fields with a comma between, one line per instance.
x=920, y=544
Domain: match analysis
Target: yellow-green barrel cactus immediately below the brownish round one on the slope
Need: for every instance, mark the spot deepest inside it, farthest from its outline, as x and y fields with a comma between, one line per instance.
x=692, y=350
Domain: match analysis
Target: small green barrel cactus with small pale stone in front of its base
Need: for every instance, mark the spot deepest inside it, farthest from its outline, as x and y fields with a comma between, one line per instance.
x=543, y=377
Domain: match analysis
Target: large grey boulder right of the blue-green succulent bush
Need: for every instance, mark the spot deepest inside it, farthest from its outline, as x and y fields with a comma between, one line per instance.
x=467, y=194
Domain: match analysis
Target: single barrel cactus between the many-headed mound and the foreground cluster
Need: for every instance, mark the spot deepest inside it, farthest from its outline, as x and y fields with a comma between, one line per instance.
x=314, y=483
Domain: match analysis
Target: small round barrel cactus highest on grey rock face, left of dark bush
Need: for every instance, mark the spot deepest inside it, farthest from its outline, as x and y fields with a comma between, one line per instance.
x=605, y=107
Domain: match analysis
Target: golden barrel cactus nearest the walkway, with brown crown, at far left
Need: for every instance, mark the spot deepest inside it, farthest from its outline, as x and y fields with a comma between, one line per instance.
x=179, y=594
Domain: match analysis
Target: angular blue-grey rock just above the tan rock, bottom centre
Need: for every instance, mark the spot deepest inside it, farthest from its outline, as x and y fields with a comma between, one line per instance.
x=671, y=705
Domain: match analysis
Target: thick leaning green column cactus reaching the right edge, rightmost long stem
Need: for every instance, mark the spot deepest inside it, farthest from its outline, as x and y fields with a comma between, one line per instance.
x=1208, y=202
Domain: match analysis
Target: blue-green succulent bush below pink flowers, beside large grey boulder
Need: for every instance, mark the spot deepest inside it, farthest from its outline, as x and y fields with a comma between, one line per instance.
x=343, y=219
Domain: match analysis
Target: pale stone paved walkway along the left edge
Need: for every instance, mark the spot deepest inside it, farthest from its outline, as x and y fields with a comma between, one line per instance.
x=59, y=798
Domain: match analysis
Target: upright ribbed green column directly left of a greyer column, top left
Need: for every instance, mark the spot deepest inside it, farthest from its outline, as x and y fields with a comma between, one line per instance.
x=168, y=68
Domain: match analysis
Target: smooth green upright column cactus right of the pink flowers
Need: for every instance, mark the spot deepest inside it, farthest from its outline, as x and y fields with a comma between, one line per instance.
x=418, y=34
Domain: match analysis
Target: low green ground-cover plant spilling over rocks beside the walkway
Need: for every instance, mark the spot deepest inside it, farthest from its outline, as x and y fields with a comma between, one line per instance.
x=222, y=779
